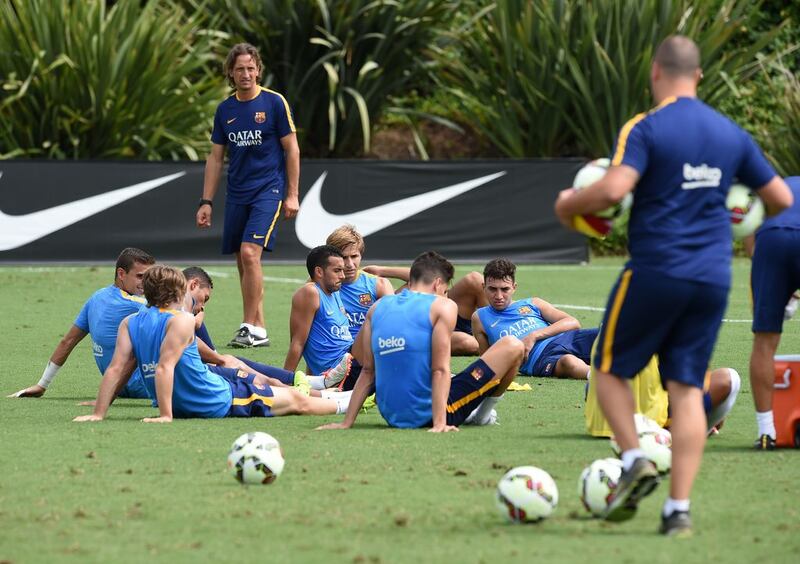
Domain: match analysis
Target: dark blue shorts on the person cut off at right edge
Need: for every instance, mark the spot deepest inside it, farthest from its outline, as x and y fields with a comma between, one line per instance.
x=774, y=276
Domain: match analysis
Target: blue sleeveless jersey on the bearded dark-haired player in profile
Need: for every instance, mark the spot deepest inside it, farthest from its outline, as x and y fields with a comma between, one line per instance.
x=329, y=337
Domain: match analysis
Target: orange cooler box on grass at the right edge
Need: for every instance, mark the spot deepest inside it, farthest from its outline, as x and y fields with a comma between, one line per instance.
x=786, y=400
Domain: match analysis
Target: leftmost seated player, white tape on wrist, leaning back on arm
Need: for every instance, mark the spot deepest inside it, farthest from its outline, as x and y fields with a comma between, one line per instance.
x=100, y=317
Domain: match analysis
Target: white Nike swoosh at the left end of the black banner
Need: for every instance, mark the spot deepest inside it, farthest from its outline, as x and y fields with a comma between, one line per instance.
x=19, y=230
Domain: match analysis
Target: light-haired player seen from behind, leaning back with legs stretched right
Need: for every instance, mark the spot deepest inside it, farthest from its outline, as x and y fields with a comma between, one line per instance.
x=161, y=341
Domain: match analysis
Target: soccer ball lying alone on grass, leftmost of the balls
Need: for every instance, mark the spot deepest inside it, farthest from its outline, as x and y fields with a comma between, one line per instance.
x=256, y=458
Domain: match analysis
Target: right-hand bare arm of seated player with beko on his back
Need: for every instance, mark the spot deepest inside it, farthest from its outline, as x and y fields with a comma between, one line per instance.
x=443, y=319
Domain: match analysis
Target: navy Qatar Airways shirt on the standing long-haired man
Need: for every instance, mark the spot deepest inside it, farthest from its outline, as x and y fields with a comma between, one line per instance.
x=252, y=131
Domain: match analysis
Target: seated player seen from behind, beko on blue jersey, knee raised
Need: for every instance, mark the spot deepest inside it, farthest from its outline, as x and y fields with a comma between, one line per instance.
x=407, y=358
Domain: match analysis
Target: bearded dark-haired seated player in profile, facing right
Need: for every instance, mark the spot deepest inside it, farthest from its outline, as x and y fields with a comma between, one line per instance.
x=318, y=327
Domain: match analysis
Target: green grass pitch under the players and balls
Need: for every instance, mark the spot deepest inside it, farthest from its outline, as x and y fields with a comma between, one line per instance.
x=123, y=491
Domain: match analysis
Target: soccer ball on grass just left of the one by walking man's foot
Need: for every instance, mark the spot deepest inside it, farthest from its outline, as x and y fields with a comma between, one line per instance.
x=526, y=494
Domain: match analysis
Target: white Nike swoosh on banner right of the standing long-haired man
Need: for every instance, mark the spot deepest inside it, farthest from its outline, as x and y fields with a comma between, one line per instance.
x=314, y=223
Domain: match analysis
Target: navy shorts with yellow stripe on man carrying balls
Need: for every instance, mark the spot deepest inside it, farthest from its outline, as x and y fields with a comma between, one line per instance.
x=650, y=313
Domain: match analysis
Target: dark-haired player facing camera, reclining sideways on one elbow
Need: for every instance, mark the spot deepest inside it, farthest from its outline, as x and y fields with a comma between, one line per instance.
x=555, y=345
